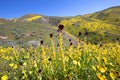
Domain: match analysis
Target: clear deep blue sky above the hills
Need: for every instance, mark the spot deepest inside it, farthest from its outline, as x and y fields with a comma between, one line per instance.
x=17, y=8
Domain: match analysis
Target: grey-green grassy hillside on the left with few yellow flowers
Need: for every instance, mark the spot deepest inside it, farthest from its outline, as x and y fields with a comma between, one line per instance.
x=25, y=32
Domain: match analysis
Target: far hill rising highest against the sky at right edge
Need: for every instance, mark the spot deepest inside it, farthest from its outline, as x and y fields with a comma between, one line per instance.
x=110, y=15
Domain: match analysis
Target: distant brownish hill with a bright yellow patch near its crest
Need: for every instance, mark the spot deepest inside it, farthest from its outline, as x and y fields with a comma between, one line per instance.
x=42, y=19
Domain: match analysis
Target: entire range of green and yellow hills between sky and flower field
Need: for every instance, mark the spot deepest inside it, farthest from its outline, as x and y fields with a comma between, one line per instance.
x=32, y=28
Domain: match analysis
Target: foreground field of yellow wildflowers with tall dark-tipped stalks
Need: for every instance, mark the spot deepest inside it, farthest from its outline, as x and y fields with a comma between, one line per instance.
x=81, y=62
